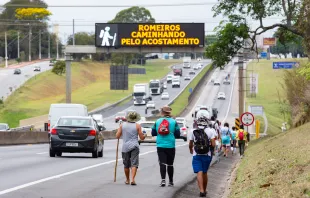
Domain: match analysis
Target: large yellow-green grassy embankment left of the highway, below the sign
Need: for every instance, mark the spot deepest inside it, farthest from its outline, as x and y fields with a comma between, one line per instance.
x=90, y=86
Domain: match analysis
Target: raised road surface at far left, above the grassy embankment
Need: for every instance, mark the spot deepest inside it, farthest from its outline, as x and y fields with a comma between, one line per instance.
x=8, y=79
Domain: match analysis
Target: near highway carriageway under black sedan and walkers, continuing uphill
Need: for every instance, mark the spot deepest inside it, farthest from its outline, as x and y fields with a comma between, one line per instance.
x=28, y=171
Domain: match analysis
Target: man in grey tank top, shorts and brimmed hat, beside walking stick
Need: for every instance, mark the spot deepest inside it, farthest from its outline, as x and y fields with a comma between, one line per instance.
x=130, y=131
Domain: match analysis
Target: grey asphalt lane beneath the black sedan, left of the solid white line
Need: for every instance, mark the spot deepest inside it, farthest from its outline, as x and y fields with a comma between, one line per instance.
x=18, y=169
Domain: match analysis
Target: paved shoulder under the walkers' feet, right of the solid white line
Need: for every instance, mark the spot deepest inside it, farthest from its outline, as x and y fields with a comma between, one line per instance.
x=98, y=181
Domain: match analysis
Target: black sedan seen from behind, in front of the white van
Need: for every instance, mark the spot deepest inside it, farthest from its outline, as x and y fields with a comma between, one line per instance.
x=76, y=134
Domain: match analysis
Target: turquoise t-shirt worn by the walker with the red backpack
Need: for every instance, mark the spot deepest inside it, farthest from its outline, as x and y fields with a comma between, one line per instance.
x=166, y=141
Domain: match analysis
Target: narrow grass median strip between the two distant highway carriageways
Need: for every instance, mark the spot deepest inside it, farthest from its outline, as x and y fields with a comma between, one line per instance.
x=182, y=101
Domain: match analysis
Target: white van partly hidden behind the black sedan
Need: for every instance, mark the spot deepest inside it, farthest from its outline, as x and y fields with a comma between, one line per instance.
x=58, y=110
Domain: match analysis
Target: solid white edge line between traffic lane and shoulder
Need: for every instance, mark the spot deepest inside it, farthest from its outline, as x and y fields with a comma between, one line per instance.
x=68, y=173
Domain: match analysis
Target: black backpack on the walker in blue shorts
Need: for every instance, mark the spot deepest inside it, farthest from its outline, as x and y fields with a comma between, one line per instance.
x=202, y=142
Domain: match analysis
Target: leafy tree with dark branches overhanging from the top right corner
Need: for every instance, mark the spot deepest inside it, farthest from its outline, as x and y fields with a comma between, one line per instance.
x=236, y=30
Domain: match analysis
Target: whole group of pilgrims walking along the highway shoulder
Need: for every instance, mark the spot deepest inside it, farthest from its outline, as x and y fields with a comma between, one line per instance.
x=207, y=140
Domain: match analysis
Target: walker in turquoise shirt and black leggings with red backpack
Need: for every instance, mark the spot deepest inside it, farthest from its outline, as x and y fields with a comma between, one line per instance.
x=166, y=144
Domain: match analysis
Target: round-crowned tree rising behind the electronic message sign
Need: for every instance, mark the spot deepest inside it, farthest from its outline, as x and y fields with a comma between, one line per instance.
x=134, y=14
